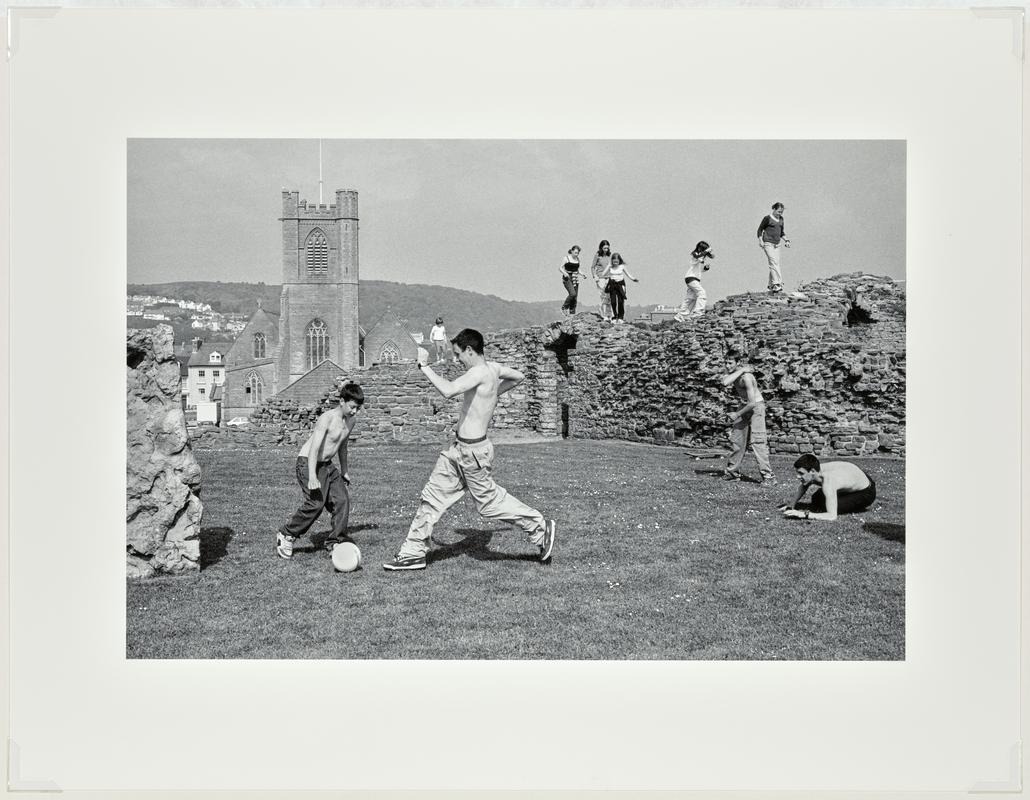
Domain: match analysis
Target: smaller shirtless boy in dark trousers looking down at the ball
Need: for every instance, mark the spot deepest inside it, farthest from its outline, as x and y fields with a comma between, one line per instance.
x=323, y=484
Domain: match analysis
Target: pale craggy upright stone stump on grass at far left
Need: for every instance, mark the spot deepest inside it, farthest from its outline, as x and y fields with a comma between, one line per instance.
x=163, y=508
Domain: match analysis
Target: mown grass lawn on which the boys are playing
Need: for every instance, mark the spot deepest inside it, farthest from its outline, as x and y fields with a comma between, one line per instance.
x=657, y=559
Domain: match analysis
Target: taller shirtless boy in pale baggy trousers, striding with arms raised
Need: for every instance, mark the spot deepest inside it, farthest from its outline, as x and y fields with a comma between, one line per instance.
x=468, y=465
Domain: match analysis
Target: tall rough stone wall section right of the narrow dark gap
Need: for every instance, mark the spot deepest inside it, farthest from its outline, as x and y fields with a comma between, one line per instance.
x=831, y=365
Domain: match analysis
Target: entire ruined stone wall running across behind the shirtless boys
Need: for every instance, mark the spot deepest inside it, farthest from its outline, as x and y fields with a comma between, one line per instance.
x=831, y=364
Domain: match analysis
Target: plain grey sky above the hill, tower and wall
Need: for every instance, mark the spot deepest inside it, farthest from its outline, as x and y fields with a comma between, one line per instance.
x=498, y=217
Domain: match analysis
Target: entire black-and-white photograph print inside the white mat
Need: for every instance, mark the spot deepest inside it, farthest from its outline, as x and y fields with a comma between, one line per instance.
x=517, y=400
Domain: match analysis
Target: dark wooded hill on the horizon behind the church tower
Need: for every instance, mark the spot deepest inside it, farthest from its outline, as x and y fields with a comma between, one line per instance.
x=417, y=303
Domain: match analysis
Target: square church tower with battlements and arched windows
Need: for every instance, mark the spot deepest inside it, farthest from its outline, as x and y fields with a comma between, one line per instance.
x=319, y=305
